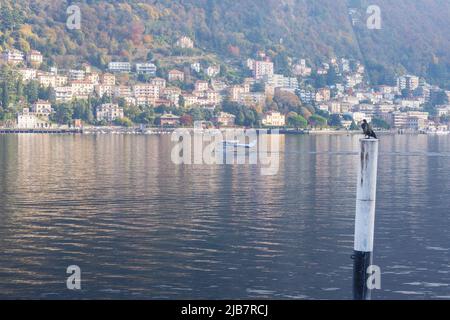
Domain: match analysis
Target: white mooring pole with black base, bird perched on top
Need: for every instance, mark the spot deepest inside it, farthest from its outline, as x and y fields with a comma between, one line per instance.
x=365, y=217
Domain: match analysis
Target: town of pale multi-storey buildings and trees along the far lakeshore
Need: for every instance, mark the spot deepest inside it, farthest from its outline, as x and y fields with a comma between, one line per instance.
x=336, y=94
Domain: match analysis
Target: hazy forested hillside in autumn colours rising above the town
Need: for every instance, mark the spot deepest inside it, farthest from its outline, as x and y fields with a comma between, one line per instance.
x=414, y=36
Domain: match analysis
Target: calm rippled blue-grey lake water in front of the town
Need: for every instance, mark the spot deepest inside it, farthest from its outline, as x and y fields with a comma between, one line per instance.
x=141, y=227
